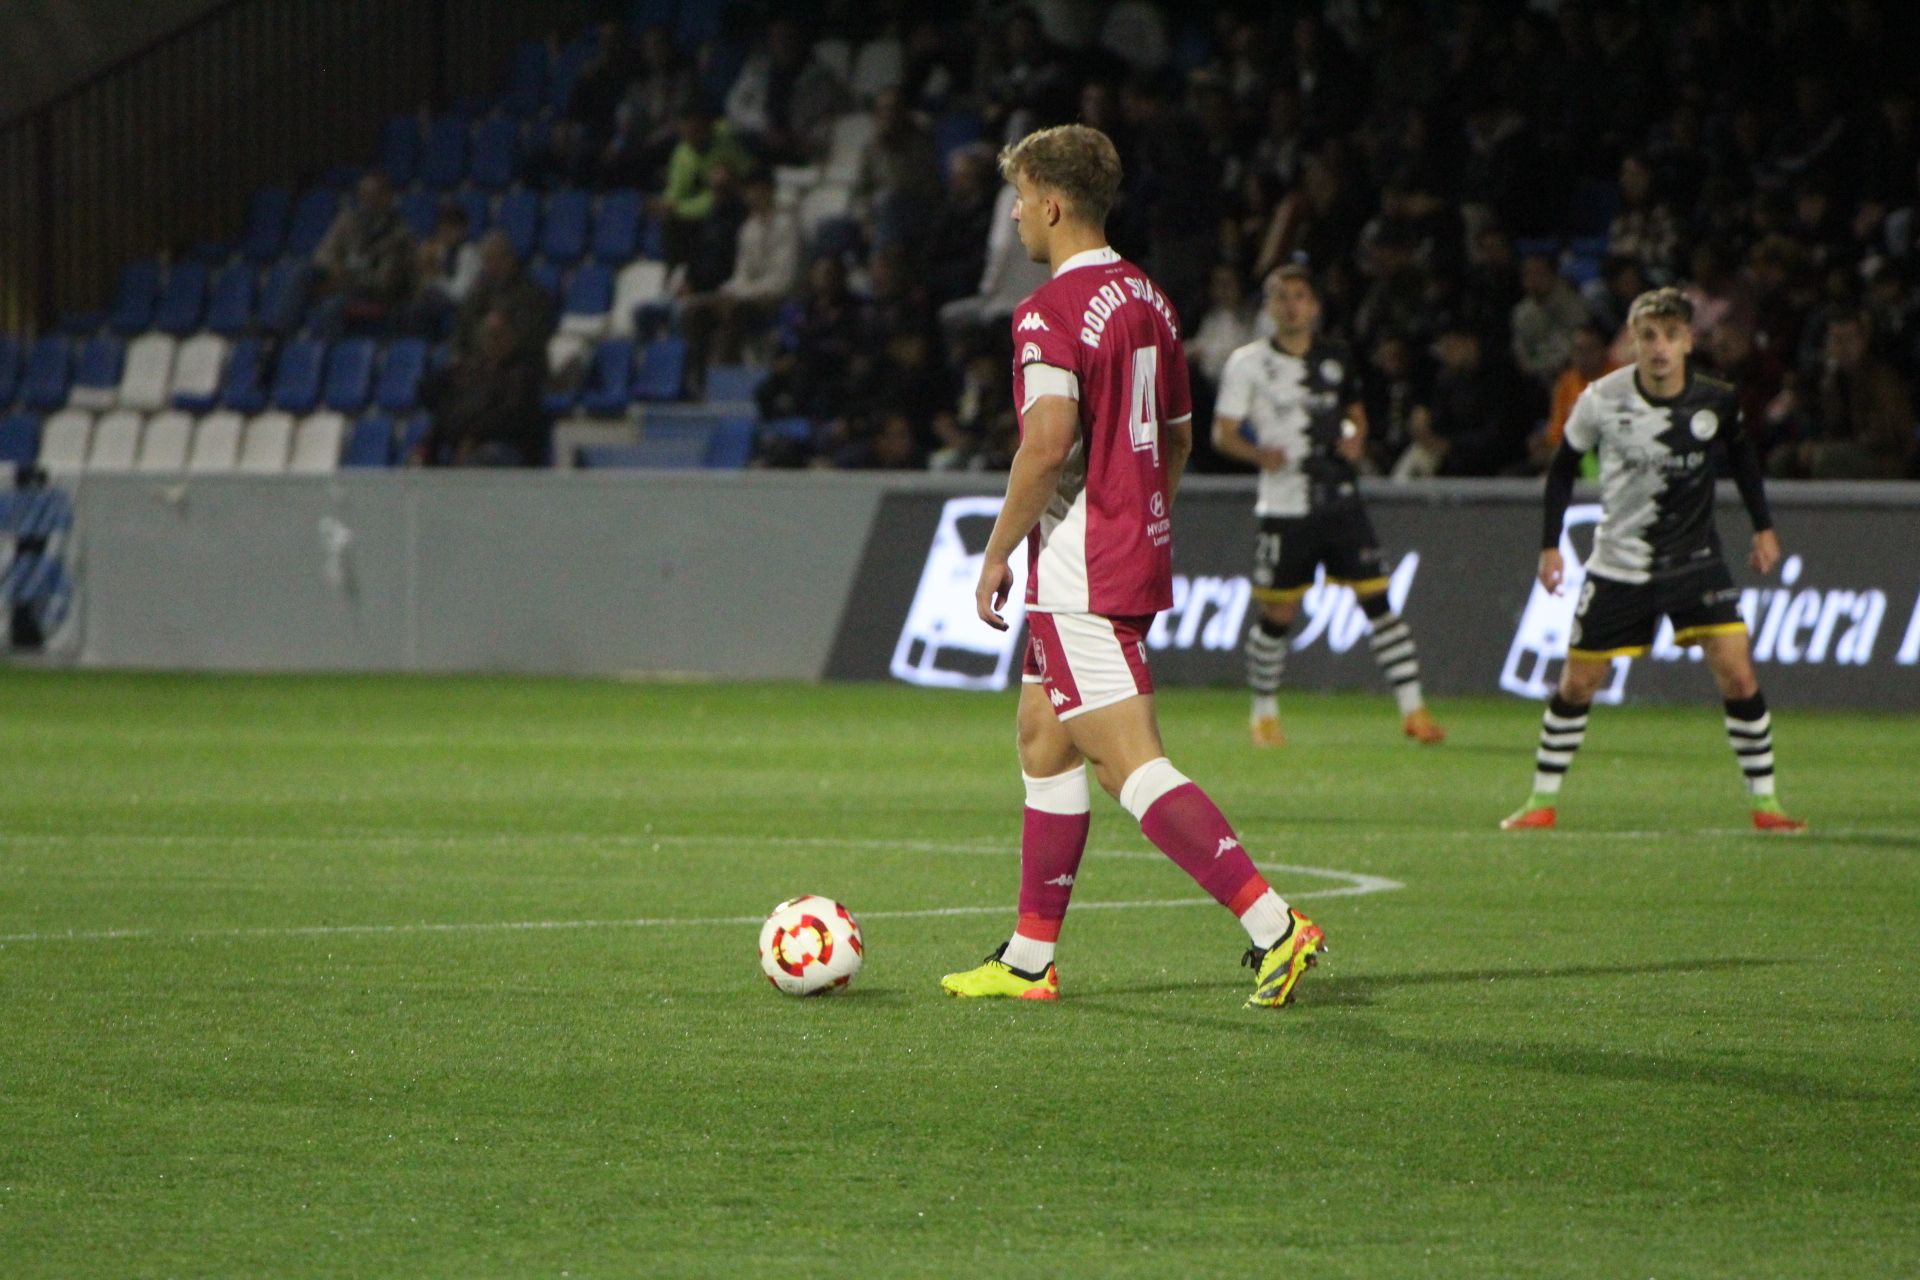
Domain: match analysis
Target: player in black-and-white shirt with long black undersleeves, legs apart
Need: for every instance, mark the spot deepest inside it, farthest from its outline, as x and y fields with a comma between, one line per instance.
x=1656, y=552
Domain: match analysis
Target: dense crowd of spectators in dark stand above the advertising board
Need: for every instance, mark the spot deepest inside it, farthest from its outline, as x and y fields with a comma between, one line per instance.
x=1479, y=197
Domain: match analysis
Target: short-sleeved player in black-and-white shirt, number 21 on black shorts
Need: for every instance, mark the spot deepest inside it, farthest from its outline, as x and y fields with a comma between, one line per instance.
x=1291, y=406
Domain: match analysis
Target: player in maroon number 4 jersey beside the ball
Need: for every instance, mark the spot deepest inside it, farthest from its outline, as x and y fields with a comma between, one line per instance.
x=1105, y=433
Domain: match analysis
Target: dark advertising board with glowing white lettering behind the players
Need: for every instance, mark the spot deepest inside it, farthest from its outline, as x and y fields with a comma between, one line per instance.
x=1838, y=623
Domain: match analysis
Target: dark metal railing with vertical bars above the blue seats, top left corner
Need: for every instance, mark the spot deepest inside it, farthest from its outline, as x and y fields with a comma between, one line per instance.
x=166, y=147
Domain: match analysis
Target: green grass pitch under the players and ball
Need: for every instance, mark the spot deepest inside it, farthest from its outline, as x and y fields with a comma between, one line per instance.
x=1646, y=1045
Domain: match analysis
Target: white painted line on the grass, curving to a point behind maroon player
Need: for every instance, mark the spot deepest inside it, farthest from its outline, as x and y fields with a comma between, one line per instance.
x=1356, y=886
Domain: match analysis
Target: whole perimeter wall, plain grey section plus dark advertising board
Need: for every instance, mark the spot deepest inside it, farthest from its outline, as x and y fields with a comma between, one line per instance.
x=780, y=575
